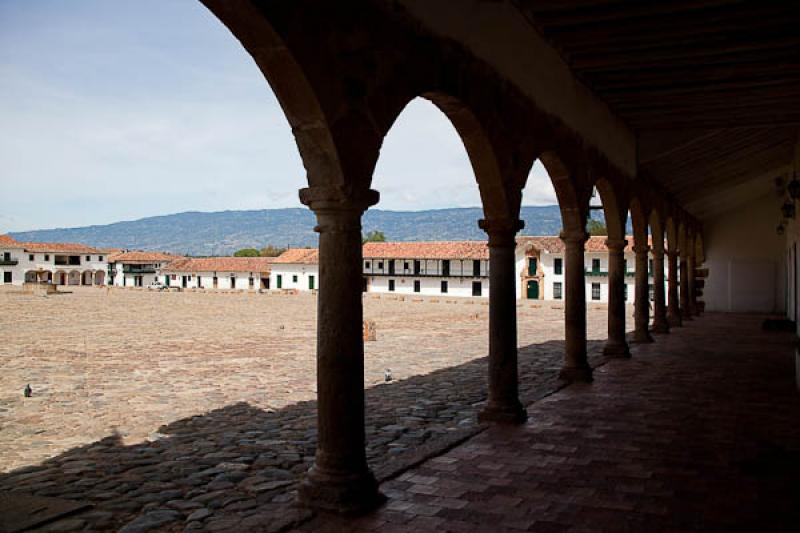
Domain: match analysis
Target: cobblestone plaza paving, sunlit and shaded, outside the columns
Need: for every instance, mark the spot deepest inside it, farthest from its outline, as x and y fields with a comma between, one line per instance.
x=196, y=411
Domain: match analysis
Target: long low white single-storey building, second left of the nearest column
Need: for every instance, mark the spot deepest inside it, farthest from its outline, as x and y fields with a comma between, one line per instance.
x=239, y=273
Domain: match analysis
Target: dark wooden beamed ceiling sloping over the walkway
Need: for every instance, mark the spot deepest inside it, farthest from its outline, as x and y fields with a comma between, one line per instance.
x=711, y=87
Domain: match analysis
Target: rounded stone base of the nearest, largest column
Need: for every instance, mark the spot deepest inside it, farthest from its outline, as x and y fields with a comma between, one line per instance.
x=347, y=494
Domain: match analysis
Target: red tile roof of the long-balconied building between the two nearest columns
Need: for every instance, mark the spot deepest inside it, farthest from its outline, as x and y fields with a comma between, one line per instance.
x=427, y=250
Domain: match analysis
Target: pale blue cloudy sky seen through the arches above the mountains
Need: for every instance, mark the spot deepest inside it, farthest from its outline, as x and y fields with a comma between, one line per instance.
x=117, y=110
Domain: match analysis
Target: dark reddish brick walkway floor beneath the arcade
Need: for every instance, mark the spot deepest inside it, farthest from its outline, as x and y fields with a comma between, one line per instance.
x=698, y=431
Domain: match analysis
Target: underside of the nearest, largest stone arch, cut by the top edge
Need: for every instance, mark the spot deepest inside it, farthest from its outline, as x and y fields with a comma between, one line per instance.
x=296, y=96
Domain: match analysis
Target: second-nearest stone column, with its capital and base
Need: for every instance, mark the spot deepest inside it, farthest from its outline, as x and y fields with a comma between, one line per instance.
x=503, y=404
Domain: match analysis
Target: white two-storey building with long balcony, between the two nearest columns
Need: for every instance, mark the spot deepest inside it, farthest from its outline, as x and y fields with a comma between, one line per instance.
x=454, y=268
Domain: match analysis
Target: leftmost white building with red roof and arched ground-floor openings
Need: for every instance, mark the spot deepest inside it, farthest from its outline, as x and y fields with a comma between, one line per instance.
x=56, y=263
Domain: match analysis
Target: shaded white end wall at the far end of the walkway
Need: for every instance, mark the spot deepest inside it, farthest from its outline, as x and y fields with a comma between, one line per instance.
x=746, y=259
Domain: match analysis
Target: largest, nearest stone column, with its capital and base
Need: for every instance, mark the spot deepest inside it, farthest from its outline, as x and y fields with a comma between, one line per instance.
x=340, y=479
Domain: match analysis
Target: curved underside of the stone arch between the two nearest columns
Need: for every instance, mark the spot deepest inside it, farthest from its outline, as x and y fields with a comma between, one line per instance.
x=479, y=148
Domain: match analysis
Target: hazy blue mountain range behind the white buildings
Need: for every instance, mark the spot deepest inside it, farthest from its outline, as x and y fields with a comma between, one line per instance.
x=223, y=232
